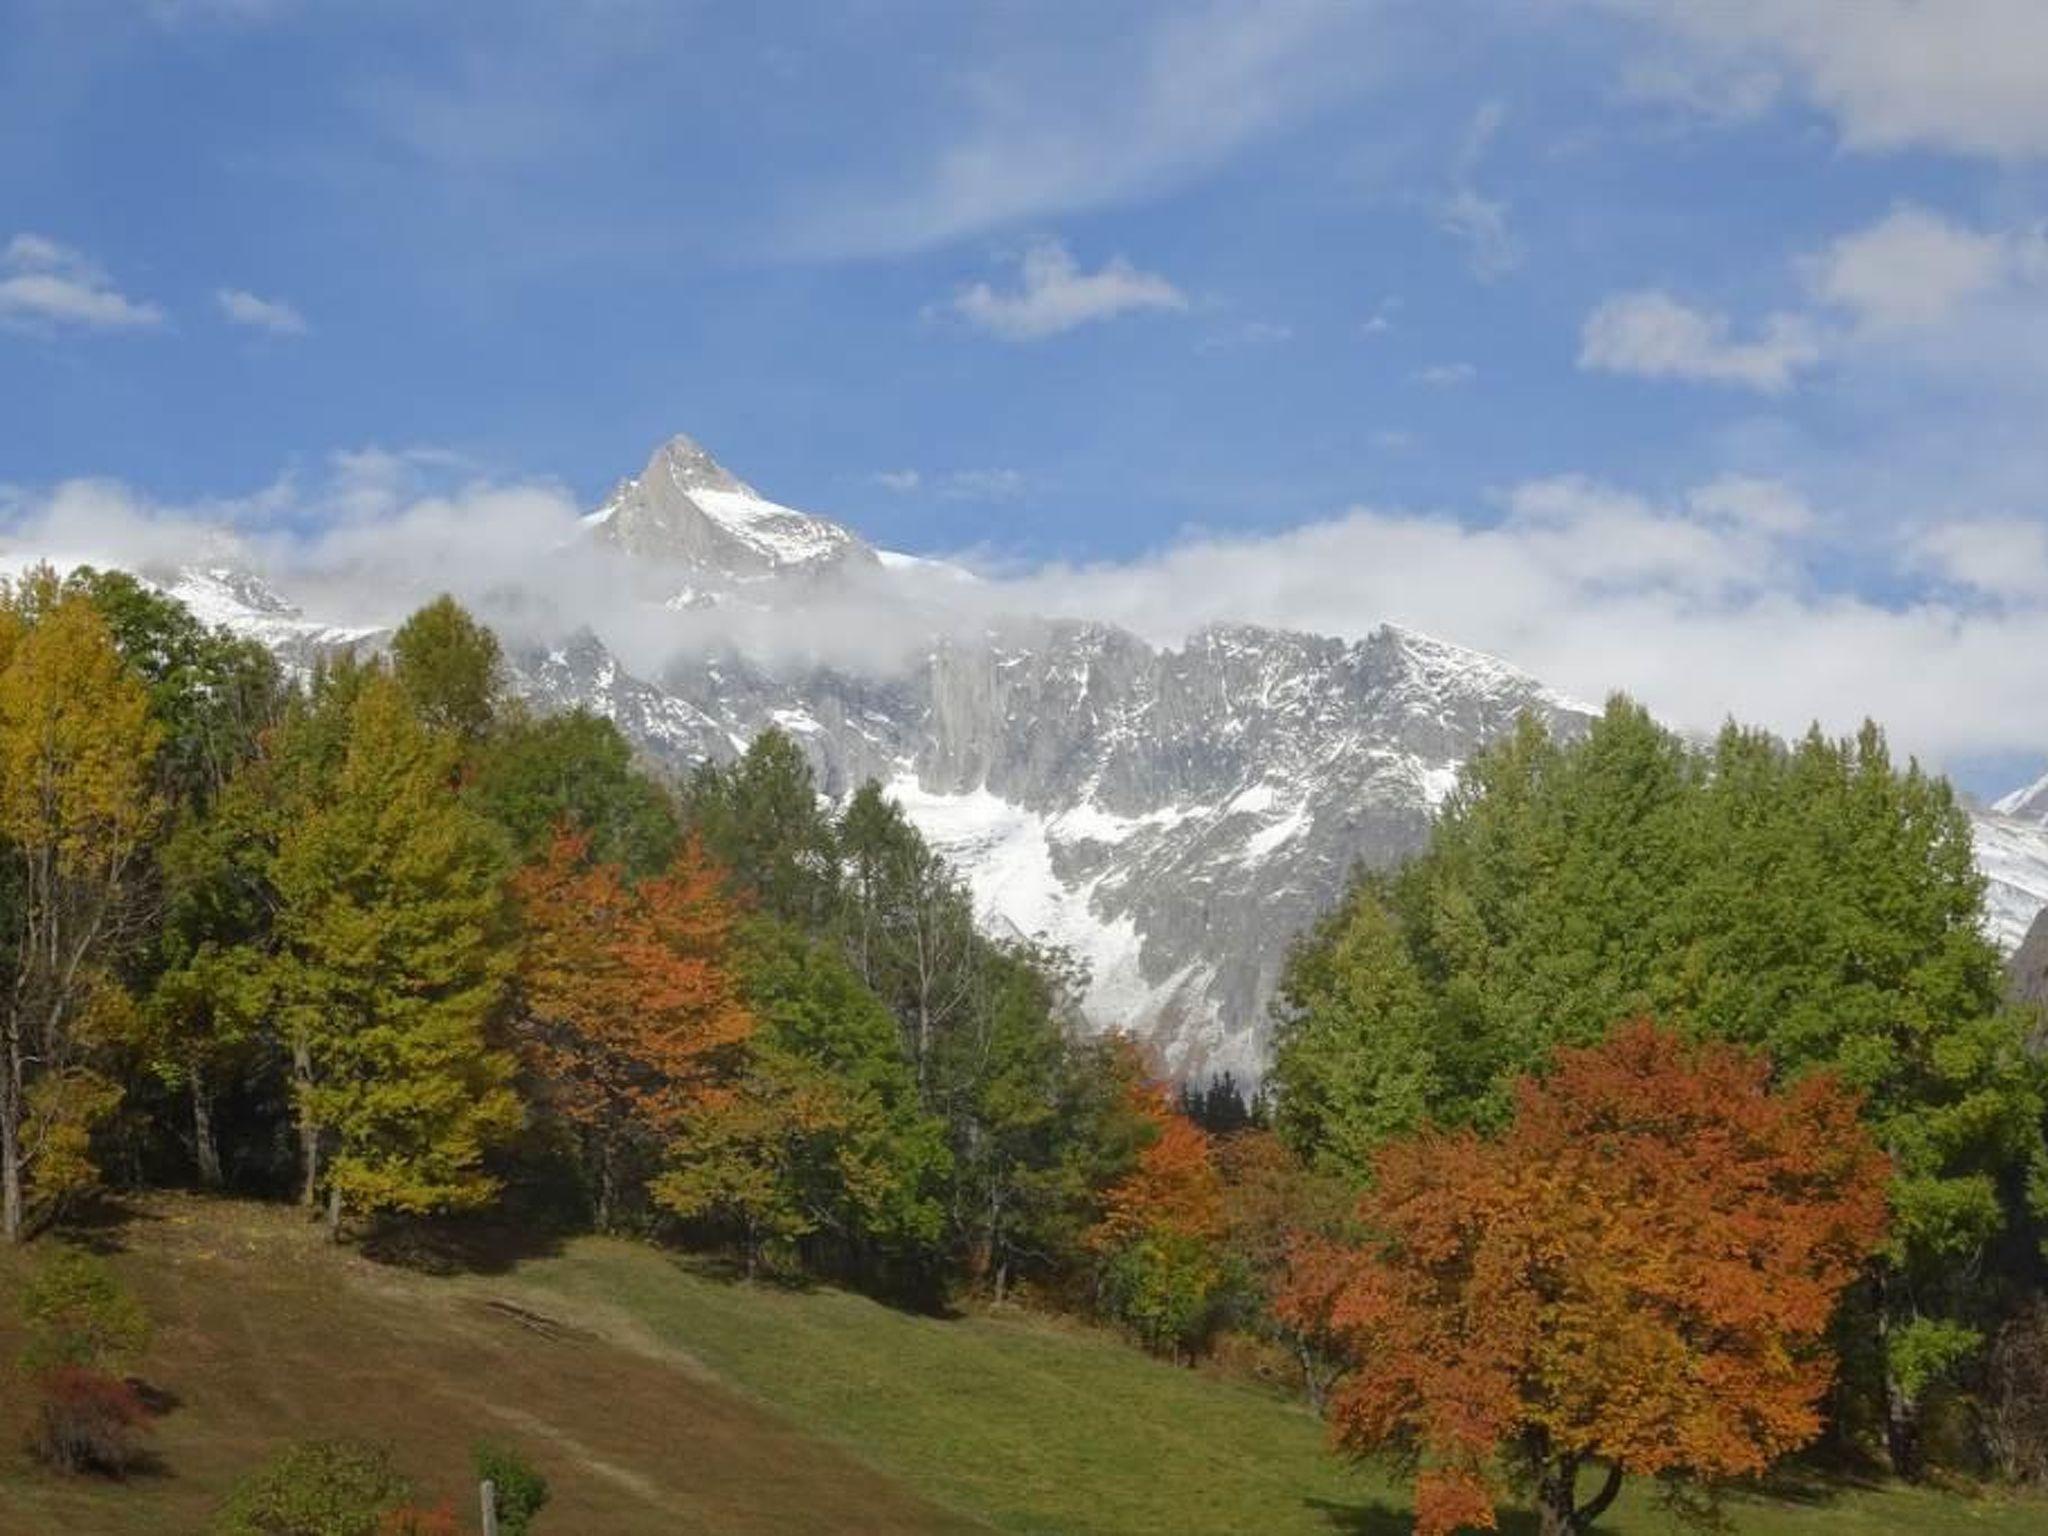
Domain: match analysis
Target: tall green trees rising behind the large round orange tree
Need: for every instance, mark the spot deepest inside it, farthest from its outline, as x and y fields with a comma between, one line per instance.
x=1816, y=902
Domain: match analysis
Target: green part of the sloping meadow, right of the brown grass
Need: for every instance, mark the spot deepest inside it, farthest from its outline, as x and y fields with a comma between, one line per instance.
x=1041, y=1426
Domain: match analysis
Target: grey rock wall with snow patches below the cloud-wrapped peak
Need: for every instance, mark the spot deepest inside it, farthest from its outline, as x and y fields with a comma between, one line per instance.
x=1172, y=816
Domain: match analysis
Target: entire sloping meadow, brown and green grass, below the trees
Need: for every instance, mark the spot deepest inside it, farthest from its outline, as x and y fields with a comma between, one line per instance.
x=667, y=1400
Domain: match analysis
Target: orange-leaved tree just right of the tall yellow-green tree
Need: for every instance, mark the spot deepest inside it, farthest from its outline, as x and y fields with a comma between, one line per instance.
x=632, y=1009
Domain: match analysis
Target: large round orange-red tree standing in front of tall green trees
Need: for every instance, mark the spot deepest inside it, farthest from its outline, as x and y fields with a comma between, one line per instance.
x=1635, y=1277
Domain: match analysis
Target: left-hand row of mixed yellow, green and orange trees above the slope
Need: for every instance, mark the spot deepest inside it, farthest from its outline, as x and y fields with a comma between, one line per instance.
x=388, y=943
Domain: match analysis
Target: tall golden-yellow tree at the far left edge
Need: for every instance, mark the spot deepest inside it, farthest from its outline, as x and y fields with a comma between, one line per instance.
x=77, y=818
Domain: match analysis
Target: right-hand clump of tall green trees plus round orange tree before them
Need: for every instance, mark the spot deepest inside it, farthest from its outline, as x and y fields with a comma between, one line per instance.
x=1809, y=906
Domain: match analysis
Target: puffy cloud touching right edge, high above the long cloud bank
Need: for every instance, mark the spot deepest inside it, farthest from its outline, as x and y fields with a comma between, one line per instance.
x=1918, y=269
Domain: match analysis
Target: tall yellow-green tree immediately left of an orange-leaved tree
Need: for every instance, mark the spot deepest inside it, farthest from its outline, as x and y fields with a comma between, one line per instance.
x=394, y=953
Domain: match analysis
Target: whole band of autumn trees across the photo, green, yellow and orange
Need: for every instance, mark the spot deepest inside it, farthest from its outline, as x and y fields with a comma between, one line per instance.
x=1664, y=1119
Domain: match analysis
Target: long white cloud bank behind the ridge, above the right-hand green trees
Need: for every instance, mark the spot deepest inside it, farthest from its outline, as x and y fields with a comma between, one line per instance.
x=1705, y=607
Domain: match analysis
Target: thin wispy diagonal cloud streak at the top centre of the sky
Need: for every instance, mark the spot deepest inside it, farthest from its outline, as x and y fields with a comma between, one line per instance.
x=1066, y=124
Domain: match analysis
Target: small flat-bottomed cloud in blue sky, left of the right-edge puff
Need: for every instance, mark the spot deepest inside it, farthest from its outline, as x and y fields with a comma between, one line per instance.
x=1656, y=337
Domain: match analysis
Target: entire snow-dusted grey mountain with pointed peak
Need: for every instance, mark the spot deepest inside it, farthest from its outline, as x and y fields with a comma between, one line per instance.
x=1175, y=816
